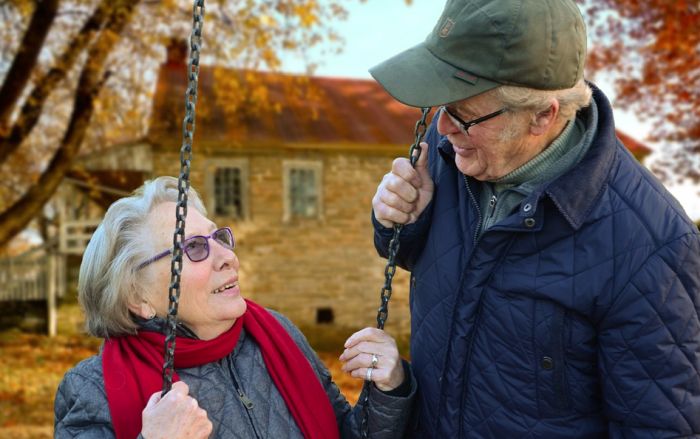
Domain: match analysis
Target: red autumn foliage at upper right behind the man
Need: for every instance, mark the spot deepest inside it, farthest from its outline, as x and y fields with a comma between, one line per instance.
x=652, y=50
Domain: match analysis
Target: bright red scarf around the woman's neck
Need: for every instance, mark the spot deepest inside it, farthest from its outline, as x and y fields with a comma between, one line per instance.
x=132, y=367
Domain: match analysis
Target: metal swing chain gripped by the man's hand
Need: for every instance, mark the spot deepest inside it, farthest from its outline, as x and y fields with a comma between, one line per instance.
x=390, y=269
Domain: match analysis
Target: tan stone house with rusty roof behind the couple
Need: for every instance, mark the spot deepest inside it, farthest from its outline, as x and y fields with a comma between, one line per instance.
x=294, y=180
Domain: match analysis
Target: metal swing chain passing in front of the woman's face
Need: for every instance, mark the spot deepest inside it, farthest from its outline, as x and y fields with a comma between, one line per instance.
x=183, y=186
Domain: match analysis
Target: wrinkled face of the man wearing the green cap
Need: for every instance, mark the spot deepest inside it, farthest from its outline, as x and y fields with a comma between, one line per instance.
x=494, y=147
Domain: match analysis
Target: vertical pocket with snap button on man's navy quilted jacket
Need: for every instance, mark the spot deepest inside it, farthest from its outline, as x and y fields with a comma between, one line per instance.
x=550, y=334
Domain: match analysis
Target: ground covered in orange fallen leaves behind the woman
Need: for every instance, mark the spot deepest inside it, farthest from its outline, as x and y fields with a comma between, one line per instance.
x=32, y=365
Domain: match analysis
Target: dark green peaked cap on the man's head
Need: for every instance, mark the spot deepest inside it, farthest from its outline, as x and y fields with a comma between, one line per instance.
x=478, y=45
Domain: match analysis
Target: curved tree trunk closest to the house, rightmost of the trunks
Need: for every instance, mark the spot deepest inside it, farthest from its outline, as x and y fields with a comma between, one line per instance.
x=14, y=219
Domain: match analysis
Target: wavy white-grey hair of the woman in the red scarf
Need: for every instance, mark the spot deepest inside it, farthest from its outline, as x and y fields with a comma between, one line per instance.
x=108, y=280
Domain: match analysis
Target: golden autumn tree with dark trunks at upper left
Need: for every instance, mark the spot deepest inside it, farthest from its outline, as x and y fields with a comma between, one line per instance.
x=76, y=75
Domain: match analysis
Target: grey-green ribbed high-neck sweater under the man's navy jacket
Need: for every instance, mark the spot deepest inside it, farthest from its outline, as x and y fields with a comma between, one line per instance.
x=500, y=197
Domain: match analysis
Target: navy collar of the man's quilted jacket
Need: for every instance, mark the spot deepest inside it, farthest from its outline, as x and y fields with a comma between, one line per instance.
x=576, y=191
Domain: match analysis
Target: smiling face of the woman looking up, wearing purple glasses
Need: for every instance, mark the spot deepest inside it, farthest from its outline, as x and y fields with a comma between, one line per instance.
x=210, y=296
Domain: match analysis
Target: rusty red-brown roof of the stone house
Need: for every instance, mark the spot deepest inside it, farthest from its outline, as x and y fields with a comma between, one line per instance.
x=343, y=111
